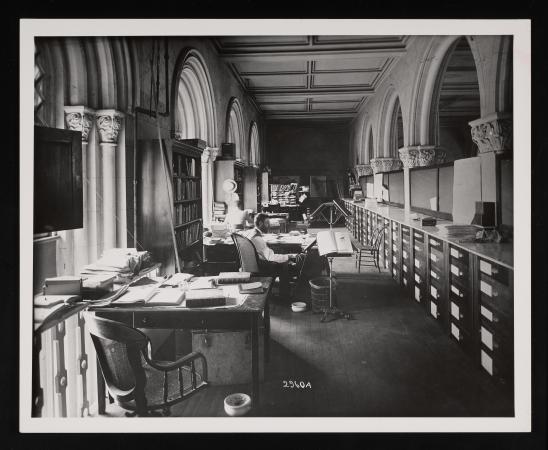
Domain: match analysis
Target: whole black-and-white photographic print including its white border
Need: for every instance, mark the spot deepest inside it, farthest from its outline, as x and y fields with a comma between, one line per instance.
x=281, y=223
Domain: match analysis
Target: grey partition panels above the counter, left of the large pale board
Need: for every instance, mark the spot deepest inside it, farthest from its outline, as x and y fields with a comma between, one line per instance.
x=432, y=190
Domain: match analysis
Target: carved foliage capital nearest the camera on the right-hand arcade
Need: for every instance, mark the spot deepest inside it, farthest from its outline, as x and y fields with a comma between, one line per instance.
x=493, y=133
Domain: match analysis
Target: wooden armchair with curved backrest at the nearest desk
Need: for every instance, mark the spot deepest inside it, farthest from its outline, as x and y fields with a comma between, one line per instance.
x=133, y=378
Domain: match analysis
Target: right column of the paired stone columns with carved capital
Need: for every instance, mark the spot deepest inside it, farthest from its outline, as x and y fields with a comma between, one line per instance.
x=109, y=123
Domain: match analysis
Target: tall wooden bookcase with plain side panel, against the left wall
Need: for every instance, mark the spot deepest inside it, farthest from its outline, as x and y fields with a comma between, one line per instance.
x=169, y=198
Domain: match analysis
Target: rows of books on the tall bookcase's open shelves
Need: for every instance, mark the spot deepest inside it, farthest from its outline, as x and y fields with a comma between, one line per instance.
x=187, y=199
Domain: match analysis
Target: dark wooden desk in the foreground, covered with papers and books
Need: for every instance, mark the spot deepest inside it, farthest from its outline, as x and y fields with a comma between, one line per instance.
x=242, y=317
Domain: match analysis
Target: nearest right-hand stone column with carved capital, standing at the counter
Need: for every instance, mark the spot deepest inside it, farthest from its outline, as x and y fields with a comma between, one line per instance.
x=494, y=137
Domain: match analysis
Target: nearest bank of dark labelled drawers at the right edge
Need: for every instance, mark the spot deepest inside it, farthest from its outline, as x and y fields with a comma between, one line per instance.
x=496, y=311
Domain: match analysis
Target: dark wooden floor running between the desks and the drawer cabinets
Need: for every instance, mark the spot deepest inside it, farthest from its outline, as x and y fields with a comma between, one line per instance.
x=390, y=360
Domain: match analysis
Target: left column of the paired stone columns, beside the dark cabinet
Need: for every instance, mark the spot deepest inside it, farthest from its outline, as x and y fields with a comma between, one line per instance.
x=80, y=118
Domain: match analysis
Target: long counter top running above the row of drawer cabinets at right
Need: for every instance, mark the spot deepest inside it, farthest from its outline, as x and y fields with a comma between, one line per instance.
x=502, y=253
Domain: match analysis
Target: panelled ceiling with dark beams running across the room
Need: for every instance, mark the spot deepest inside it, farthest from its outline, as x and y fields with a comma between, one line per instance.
x=304, y=77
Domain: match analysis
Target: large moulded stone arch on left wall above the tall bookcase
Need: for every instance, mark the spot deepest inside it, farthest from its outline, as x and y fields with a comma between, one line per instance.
x=193, y=102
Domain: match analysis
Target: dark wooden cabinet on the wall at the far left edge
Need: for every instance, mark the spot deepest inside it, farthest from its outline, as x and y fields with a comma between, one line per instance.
x=58, y=198
